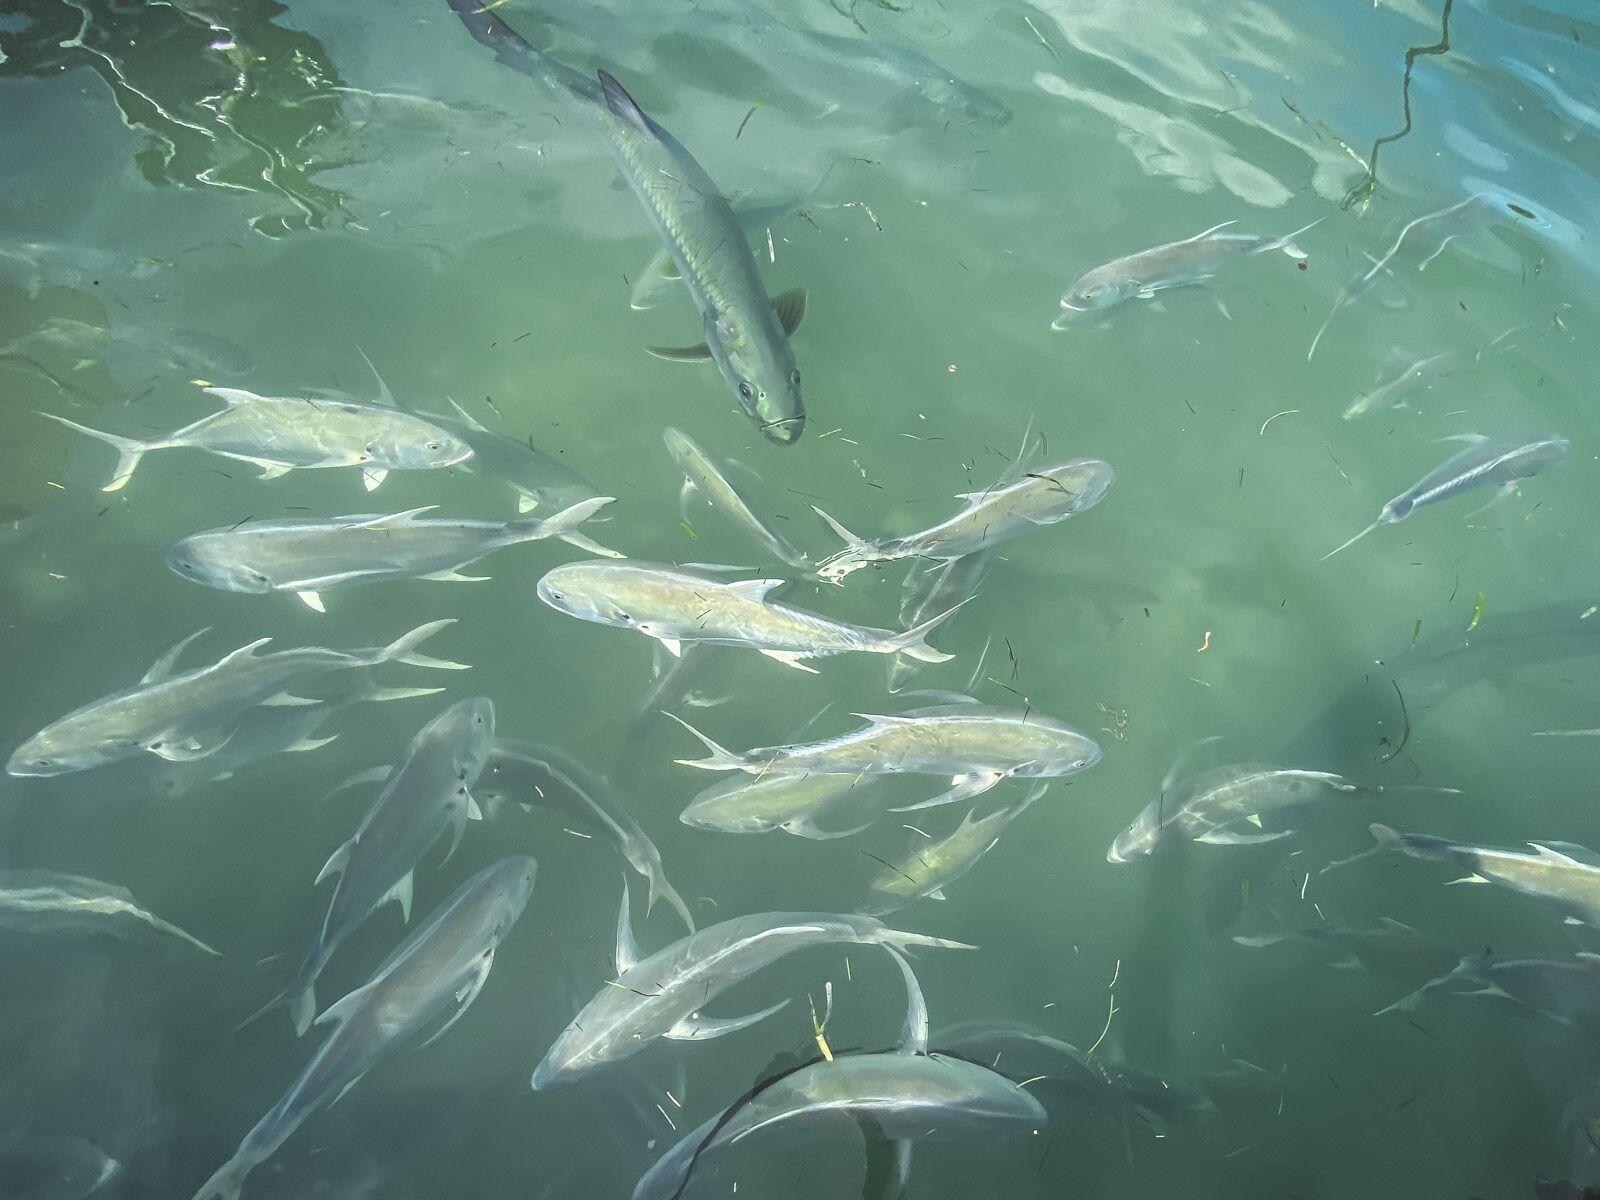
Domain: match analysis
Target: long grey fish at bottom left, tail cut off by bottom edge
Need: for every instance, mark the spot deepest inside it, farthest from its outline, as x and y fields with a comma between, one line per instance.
x=438, y=972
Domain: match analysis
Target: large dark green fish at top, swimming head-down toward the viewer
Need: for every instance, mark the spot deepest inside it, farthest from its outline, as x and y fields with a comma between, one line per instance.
x=746, y=332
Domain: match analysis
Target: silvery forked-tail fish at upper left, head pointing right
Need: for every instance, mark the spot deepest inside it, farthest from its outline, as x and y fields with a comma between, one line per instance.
x=281, y=434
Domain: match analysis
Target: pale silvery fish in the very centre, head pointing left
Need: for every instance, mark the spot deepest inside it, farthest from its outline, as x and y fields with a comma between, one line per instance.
x=679, y=609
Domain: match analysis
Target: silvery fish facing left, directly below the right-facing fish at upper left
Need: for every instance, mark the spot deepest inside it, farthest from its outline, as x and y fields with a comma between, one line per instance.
x=313, y=556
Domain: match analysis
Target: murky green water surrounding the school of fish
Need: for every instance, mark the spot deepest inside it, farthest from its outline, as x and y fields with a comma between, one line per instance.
x=289, y=185
